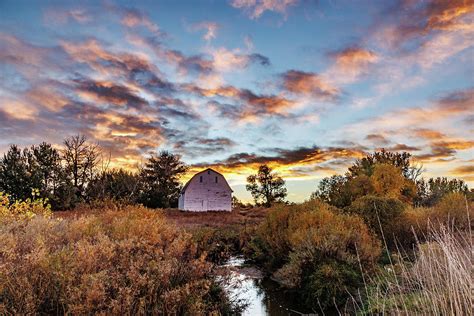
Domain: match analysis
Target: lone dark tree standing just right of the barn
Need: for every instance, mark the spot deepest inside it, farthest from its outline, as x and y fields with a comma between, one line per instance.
x=266, y=186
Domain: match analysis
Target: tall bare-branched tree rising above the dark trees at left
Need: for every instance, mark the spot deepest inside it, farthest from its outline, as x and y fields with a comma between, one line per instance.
x=81, y=161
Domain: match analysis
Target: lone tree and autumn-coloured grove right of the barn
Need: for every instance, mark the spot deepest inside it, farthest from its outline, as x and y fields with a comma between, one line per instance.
x=381, y=173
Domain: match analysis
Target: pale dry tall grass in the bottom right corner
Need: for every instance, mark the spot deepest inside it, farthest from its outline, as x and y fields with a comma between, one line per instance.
x=437, y=282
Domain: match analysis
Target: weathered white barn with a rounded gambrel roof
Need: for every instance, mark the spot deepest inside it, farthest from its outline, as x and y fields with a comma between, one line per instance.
x=207, y=190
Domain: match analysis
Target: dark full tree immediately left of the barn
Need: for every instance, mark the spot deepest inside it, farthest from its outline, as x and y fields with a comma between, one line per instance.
x=160, y=177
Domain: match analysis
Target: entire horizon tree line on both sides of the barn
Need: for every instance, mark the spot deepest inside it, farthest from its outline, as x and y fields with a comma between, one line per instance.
x=79, y=172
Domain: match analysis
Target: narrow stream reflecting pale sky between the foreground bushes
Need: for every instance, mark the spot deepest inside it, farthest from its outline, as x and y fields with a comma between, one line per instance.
x=261, y=295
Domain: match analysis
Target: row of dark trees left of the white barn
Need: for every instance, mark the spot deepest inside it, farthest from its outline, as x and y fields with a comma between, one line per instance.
x=79, y=173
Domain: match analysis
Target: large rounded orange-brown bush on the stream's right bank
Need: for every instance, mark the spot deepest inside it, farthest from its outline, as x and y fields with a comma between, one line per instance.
x=321, y=251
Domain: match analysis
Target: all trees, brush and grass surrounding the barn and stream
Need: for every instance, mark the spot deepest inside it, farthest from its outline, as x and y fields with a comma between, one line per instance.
x=378, y=239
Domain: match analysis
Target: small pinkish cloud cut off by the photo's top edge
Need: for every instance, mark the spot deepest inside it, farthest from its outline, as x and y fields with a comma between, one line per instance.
x=255, y=8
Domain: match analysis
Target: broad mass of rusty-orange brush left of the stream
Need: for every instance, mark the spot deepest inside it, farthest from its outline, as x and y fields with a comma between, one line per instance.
x=129, y=261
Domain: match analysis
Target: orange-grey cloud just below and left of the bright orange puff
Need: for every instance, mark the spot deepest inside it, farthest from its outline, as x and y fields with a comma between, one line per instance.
x=311, y=84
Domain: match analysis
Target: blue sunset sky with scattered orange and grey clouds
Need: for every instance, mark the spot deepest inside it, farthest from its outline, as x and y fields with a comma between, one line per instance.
x=304, y=86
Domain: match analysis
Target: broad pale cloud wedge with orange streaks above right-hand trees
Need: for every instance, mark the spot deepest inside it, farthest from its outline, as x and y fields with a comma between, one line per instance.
x=428, y=127
